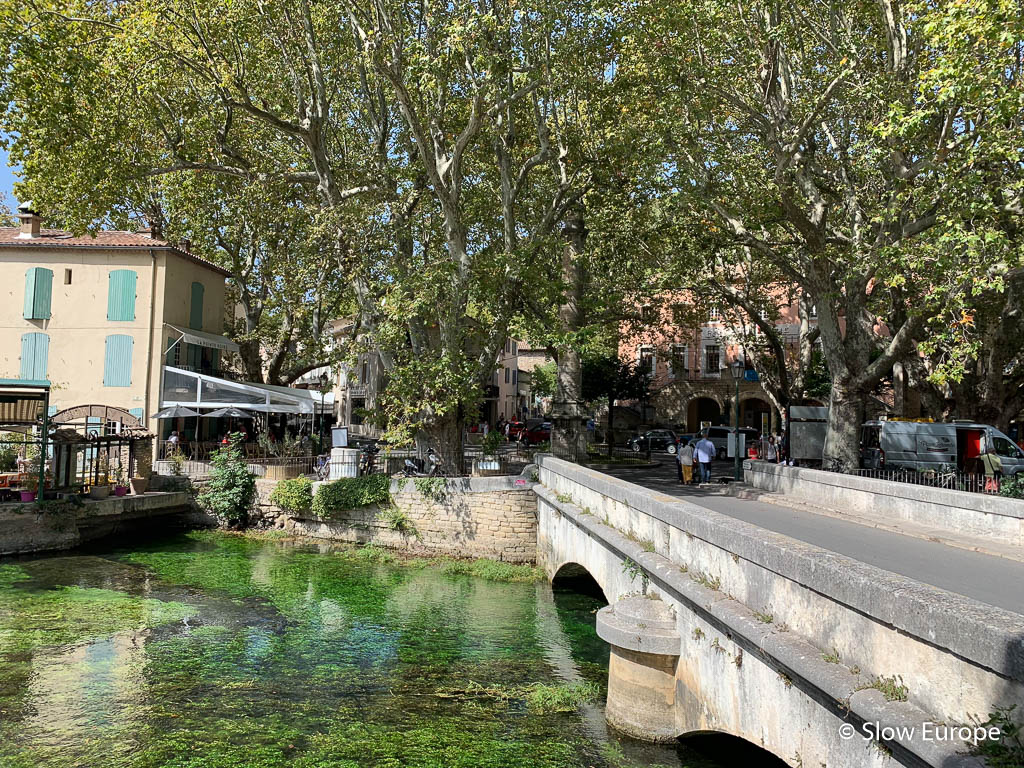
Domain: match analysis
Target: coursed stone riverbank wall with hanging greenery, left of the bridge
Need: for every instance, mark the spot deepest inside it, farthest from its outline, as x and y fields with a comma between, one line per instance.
x=493, y=518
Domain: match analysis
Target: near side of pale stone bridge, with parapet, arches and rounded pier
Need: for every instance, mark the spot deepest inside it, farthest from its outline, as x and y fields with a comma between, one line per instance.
x=719, y=626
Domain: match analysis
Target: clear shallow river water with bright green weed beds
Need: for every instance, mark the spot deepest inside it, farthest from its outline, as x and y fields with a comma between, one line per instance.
x=208, y=651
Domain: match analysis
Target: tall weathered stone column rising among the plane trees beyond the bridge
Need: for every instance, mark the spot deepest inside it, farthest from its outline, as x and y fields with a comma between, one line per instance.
x=569, y=438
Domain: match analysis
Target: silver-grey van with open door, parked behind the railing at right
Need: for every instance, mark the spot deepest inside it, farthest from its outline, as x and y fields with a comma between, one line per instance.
x=942, y=447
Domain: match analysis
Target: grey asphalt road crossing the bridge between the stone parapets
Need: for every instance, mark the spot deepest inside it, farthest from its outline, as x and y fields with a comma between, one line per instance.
x=996, y=581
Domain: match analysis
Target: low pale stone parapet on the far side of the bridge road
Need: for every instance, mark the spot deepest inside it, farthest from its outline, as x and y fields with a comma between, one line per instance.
x=995, y=518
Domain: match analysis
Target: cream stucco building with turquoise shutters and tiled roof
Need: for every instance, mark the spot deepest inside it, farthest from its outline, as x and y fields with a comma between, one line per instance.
x=97, y=316
